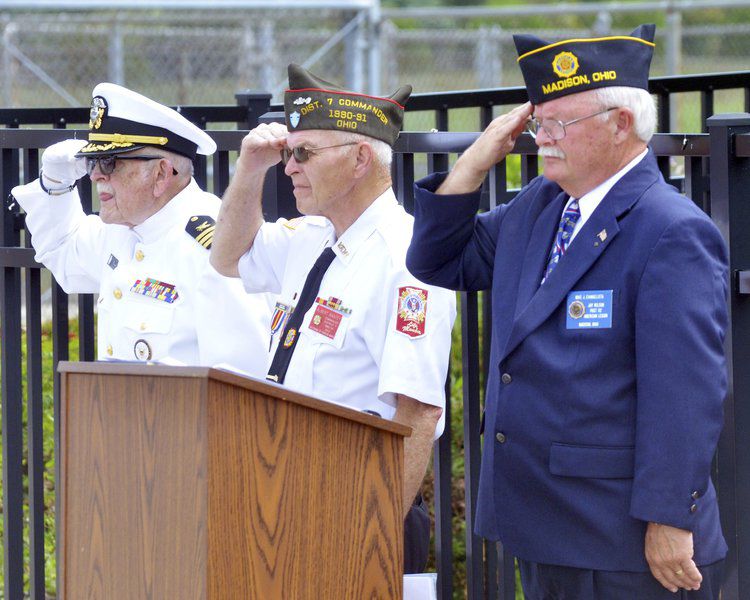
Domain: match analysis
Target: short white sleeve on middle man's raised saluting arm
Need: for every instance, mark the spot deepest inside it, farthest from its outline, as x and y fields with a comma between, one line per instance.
x=262, y=267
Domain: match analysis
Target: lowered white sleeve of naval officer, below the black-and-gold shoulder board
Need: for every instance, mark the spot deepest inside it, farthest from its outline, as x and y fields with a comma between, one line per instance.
x=233, y=327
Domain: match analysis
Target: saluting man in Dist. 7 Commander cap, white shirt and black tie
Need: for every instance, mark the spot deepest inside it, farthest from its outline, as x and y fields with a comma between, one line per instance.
x=374, y=337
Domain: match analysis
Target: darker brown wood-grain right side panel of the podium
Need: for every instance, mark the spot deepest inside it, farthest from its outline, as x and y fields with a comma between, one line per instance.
x=313, y=498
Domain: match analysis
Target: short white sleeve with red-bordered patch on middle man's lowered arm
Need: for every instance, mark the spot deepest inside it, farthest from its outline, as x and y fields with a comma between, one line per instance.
x=417, y=366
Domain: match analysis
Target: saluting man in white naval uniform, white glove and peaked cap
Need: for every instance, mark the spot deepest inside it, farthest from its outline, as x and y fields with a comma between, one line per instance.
x=146, y=253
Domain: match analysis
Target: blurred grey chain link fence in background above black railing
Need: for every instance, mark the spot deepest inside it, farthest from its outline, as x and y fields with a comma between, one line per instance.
x=55, y=58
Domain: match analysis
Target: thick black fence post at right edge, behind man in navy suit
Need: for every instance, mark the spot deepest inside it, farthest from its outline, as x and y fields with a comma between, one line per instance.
x=730, y=210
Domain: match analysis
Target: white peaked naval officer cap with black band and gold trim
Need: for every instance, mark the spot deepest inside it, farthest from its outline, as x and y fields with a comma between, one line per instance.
x=122, y=120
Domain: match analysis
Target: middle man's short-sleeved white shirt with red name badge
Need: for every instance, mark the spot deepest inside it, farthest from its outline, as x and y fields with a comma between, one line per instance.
x=356, y=352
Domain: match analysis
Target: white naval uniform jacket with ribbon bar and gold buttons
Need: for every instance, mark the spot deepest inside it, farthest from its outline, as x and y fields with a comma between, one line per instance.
x=159, y=298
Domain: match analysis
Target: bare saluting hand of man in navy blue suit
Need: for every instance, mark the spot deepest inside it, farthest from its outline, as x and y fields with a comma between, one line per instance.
x=489, y=149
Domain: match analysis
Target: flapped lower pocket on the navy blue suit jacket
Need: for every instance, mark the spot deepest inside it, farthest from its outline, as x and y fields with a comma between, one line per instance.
x=598, y=462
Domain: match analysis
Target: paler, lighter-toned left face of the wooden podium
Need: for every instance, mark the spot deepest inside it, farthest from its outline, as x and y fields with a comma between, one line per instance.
x=134, y=487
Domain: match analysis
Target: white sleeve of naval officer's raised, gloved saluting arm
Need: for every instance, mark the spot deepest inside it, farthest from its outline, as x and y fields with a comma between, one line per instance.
x=67, y=242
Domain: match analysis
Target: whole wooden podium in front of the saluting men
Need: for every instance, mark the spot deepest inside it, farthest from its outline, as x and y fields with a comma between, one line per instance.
x=189, y=482
